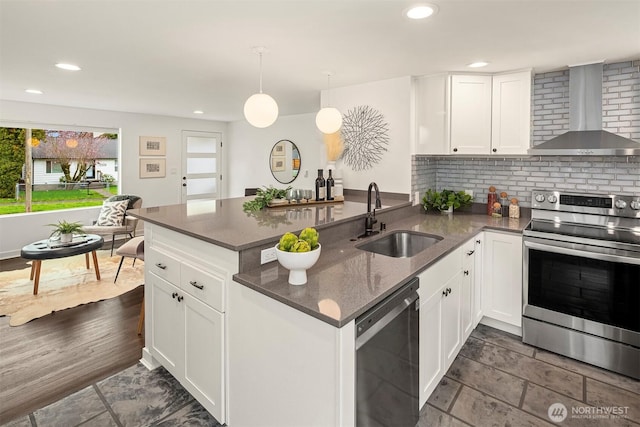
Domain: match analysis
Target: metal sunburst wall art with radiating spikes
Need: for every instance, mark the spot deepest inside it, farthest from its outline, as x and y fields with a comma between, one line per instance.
x=365, y=134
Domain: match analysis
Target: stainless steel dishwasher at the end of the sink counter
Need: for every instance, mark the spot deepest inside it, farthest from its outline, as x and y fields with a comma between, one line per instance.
x=387, y=361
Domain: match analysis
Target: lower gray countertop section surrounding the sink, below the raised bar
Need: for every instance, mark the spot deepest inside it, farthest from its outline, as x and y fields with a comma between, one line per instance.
x=347, y=281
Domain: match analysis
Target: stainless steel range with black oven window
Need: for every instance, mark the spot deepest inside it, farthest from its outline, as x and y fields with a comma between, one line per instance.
x=582, y=278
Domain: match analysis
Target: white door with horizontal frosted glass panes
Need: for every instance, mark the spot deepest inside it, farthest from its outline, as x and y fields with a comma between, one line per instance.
x=201, y=168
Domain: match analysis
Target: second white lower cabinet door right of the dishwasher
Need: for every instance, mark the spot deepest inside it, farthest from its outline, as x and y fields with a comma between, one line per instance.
x=451, y=319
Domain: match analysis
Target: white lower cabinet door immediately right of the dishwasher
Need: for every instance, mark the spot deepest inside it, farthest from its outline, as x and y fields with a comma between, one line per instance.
x=431, y=355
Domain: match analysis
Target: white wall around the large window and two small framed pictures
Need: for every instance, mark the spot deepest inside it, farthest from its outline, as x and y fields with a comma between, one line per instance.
x=20, y=229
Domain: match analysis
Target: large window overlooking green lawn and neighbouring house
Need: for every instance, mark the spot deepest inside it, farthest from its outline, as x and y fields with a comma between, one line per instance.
x=62, y=161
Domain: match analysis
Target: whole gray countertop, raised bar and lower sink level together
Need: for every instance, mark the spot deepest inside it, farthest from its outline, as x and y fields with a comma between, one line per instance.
x=346, y=281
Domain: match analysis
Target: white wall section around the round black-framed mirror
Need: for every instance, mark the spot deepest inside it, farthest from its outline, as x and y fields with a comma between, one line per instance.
x=250, y=147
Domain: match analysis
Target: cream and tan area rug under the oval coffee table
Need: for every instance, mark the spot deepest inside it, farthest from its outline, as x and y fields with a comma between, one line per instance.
x=65, y=283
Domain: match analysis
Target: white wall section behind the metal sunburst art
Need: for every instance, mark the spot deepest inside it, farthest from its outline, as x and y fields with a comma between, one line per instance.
x=392, y=98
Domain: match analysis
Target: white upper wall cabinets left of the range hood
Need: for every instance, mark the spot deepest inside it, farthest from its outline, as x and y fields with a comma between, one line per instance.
x=473, y=114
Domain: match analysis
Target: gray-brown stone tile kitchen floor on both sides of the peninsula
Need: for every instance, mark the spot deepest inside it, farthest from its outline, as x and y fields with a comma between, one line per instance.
x=495, y=380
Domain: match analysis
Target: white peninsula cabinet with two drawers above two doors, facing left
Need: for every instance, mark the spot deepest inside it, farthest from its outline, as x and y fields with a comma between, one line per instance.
x=185, y=302
